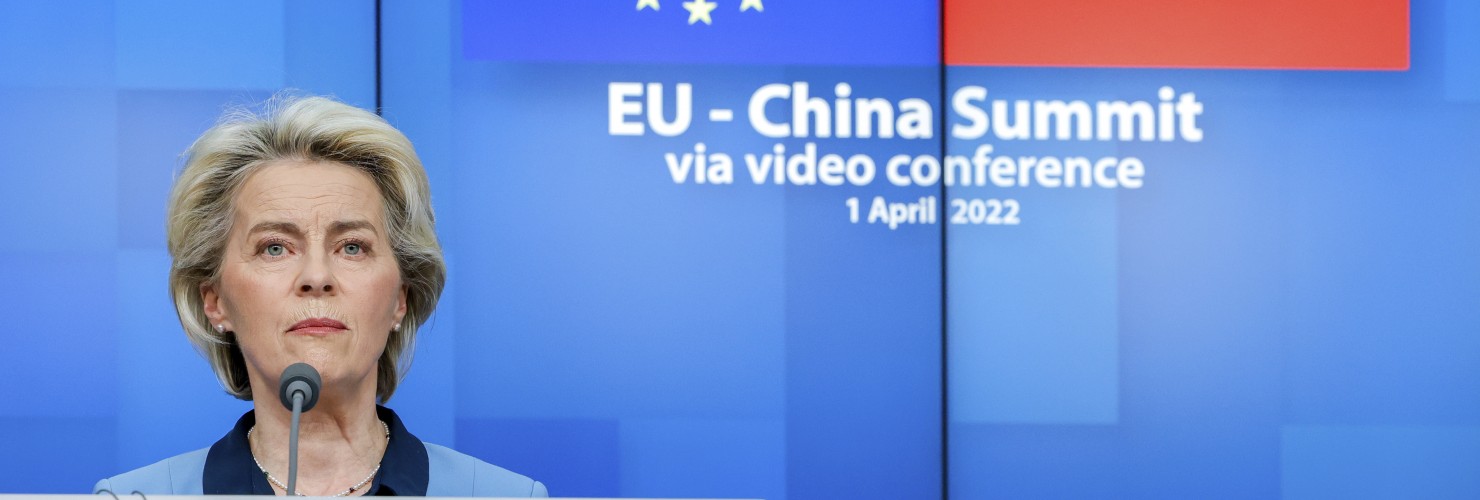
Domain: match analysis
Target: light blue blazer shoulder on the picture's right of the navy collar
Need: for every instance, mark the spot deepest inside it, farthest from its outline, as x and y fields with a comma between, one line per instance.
x=461, y=476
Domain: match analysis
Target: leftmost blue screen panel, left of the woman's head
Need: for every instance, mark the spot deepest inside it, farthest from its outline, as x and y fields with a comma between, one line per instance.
x=100, y=100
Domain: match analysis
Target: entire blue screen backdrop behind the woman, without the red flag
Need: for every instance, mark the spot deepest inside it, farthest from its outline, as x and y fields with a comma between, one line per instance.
x=791, y=251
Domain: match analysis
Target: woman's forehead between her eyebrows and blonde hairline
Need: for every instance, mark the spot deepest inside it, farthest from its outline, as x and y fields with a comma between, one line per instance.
x=313, y=196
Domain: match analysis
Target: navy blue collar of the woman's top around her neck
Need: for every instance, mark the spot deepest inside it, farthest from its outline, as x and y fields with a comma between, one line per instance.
x=230, y=468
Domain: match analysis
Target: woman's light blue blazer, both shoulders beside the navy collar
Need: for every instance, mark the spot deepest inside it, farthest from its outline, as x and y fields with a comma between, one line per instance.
x=452, y=474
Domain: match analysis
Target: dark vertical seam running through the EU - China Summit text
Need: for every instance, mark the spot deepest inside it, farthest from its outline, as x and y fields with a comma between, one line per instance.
x=945, y=224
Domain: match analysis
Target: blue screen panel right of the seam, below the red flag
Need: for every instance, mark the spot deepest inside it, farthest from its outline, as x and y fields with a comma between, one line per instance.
x=1293, y=295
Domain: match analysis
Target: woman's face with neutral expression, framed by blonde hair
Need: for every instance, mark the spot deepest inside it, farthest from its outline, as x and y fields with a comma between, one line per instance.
x=309, y=276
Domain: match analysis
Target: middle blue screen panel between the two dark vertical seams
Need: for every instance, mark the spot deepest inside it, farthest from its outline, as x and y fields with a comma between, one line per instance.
x=627, y=331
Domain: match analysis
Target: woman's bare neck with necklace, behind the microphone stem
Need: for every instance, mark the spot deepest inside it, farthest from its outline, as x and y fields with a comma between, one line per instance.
x=340, y=443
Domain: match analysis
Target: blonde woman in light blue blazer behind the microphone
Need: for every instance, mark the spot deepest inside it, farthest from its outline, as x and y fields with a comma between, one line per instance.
x=307, y=236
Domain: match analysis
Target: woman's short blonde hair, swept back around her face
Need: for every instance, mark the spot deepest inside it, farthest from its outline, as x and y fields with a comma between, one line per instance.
x=304, y=129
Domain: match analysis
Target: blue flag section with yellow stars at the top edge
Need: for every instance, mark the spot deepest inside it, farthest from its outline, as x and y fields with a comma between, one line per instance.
x=868, y=33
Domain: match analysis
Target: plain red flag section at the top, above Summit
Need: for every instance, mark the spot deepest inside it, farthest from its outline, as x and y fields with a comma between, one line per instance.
x=1269, y=35
